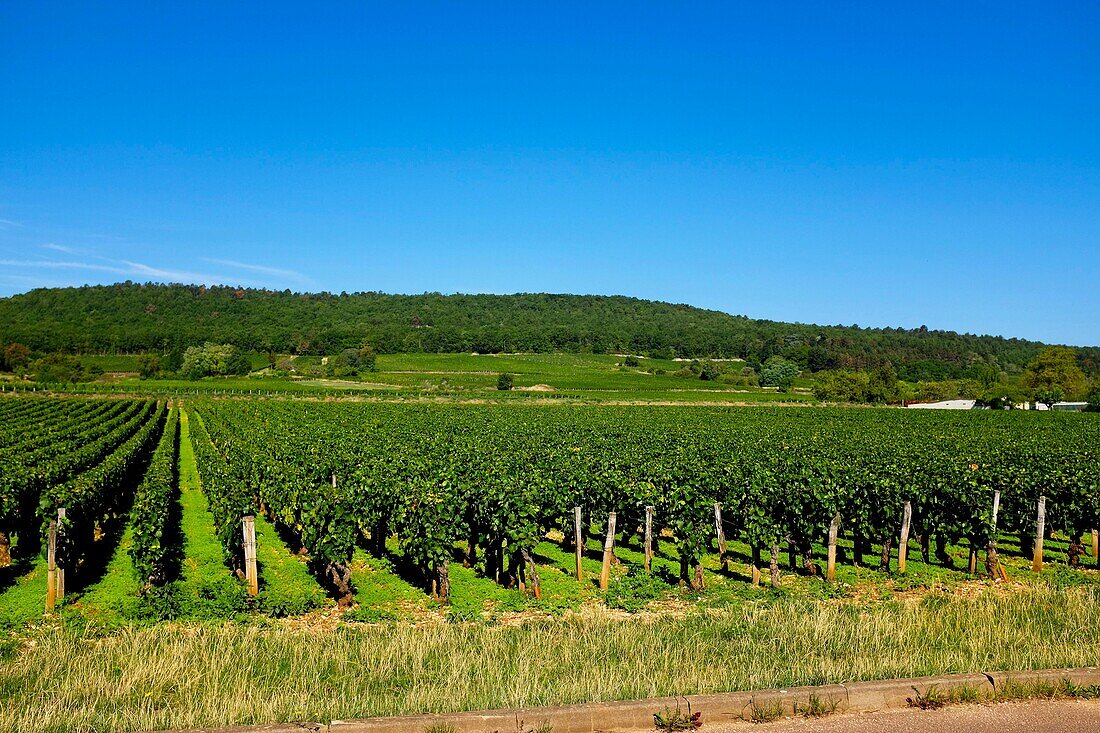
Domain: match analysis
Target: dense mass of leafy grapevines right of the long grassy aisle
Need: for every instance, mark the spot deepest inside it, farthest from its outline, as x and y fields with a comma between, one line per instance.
x=499, y=478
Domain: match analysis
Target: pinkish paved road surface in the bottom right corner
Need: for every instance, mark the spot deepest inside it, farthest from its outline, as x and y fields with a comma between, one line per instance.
x=1033, y=717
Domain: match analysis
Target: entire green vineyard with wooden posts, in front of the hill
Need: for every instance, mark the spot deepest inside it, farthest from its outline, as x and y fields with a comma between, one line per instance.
x=301, y=502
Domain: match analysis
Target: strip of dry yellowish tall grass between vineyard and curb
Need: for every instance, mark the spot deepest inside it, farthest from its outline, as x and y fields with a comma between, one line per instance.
x=205, y=675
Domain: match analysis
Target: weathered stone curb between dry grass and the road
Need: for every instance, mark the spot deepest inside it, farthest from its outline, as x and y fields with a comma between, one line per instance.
x=717, y=709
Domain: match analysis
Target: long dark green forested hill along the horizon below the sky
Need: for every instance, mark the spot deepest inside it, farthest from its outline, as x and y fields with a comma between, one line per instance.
x=134, y=318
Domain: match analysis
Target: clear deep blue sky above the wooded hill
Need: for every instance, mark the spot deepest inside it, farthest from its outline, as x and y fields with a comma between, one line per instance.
x=833, y=163
